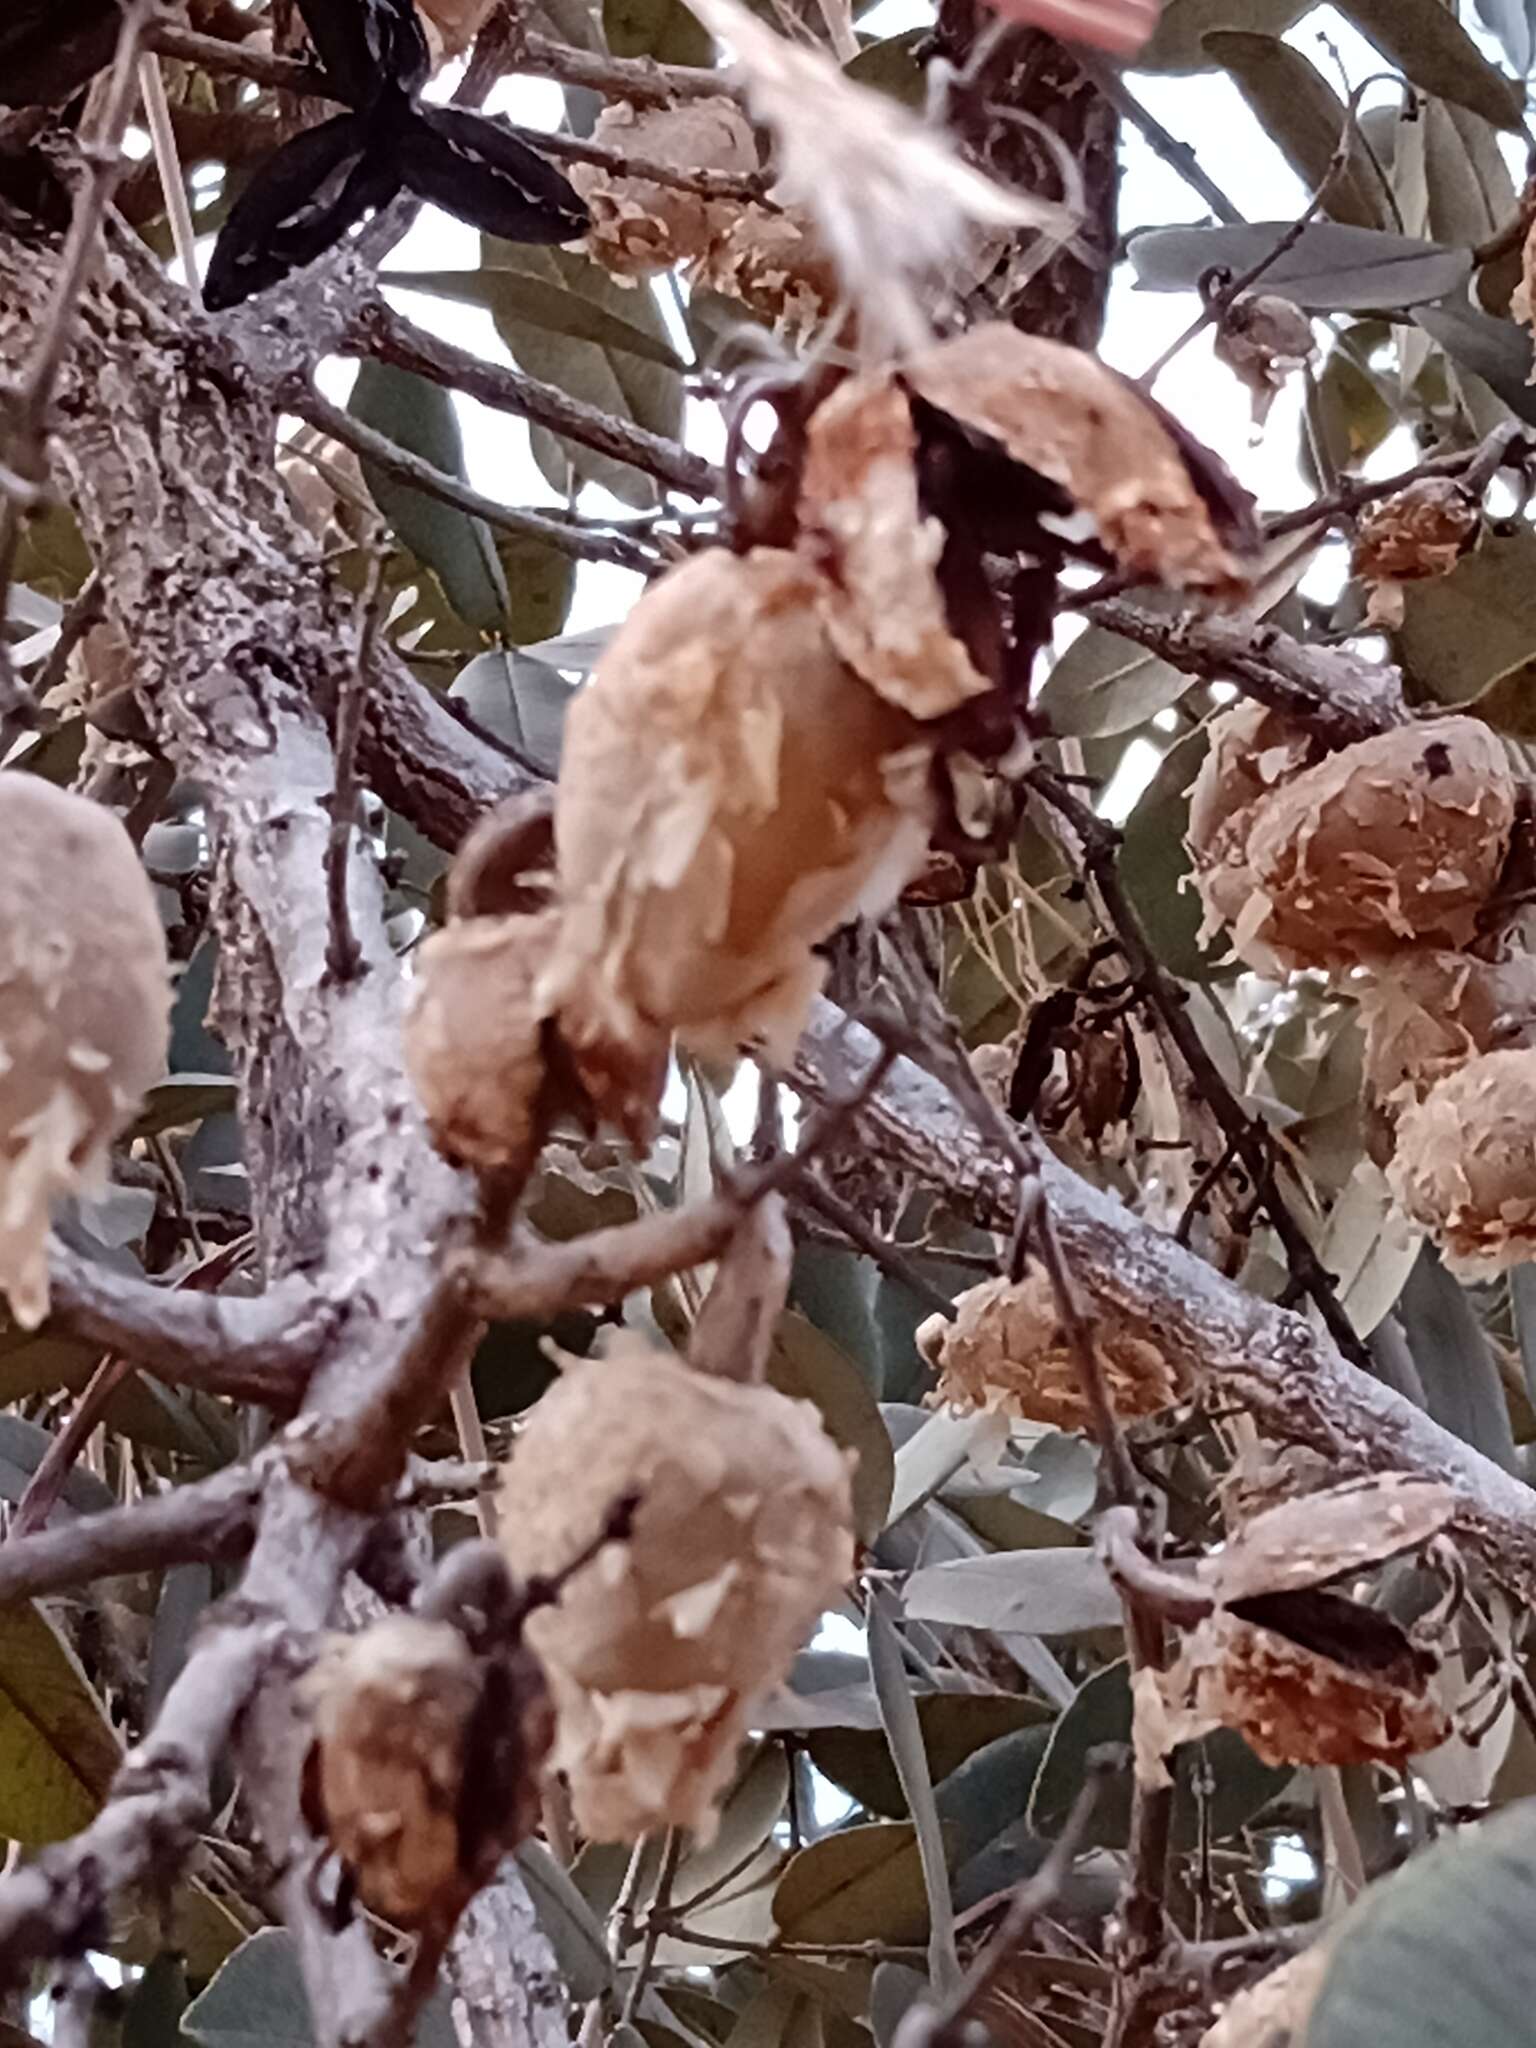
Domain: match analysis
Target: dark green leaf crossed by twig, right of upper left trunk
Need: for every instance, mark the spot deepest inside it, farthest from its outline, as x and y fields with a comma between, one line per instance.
x=421, y=419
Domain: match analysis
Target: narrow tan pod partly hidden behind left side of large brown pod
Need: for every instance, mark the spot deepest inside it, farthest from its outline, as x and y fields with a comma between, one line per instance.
x=1252, y=753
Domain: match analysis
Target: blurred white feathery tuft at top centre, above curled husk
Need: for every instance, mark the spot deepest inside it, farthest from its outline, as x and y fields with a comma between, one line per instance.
x=888, y=196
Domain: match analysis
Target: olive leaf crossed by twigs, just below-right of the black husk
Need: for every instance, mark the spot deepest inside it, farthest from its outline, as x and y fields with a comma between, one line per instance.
x=613, y=380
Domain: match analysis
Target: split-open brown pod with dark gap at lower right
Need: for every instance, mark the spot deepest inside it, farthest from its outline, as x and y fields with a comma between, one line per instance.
x=1304, y=1674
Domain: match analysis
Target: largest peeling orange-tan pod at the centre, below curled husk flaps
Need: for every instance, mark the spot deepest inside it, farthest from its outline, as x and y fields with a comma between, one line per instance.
x=730, y=796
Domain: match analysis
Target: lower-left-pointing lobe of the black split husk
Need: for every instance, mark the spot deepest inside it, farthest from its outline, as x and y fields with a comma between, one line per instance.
x=296, y=208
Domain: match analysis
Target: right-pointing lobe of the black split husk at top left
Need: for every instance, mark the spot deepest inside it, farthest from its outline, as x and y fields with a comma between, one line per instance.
x=472, y=167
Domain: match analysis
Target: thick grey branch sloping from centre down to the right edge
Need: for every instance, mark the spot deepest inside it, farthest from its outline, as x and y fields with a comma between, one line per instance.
x=1234, y=1345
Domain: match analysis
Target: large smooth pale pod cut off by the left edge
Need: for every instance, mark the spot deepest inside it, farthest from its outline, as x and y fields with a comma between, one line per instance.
x=85, y=1005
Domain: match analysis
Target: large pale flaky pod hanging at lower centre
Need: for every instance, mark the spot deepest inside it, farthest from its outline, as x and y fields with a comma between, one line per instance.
x=663, y=1648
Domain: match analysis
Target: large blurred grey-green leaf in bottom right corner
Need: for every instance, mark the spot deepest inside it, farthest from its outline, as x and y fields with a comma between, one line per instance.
x=1439, y=1955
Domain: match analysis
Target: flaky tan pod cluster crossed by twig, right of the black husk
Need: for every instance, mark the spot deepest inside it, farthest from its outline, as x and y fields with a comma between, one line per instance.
x=638, y=226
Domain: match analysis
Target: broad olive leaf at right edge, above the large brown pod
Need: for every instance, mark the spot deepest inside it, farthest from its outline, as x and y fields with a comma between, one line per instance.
x=1463, y=630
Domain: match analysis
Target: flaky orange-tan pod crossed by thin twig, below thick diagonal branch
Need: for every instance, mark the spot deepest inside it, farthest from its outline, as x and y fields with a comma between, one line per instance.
x=1007, y=1351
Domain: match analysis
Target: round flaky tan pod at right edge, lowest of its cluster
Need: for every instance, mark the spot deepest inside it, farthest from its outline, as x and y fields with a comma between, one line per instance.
x=1465, y=1164
